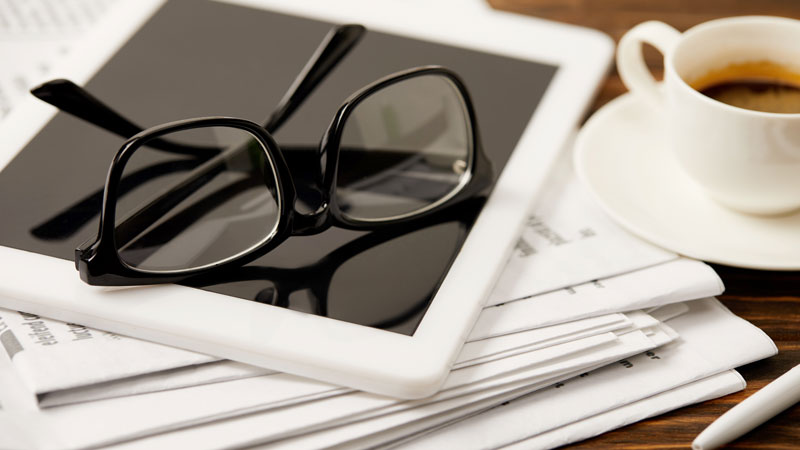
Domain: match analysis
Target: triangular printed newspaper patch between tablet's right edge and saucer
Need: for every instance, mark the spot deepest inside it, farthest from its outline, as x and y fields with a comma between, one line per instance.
x=569, y=240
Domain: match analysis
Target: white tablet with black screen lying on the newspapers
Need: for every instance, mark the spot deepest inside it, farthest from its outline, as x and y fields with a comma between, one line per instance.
x=384, y=312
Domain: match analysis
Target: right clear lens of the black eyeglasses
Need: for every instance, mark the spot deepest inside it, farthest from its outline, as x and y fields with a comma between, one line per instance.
x=404, y=149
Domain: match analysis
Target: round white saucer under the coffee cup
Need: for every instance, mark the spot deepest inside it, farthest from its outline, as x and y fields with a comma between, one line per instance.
x=622, y=156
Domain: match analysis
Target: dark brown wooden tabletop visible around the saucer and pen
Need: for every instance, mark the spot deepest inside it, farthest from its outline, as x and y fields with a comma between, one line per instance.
x=769, y=300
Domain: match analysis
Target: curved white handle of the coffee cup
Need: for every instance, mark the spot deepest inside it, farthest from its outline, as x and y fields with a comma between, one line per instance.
x=630, y=62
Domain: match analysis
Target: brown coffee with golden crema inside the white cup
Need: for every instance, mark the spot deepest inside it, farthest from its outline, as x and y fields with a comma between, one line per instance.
x=760, y=86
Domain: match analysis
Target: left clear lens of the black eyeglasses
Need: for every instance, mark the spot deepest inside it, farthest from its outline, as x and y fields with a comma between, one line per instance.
x=193, y=219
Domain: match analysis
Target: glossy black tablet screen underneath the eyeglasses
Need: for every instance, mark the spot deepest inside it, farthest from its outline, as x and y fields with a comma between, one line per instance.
x=197, y=59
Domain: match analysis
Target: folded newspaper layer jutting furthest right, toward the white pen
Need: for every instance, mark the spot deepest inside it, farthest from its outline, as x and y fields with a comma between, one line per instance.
x=712, y=340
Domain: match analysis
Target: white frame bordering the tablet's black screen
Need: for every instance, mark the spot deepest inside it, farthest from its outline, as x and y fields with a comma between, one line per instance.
x=338, y=352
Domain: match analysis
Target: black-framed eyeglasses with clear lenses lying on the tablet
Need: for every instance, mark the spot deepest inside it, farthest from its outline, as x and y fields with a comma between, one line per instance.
x=398, y=150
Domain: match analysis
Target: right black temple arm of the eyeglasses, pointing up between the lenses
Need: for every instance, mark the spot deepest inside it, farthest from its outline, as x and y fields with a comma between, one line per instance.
x=334, y=46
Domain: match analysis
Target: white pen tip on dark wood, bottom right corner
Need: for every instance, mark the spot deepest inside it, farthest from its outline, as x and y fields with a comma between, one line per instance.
x=752, y=412
